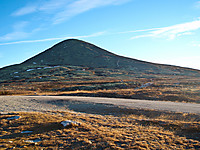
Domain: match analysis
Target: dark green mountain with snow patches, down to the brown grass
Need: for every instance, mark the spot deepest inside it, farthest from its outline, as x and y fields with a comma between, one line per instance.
x=73, y=52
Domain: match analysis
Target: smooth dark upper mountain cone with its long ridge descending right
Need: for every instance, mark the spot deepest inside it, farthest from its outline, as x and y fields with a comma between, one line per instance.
x=80, y=53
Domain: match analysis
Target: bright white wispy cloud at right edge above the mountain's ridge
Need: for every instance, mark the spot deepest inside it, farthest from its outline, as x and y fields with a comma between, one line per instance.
x=171, y=32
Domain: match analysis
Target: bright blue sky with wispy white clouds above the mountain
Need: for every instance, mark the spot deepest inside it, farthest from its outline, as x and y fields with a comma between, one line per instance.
x=160, y=31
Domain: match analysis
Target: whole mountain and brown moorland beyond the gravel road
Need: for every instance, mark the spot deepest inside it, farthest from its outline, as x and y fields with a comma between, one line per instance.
x=75, y=67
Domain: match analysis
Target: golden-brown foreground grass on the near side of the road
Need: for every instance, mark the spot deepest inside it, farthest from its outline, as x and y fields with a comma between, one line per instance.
x=152, y=130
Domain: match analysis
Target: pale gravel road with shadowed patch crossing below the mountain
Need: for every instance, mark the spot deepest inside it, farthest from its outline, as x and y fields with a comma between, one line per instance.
x=49, y=103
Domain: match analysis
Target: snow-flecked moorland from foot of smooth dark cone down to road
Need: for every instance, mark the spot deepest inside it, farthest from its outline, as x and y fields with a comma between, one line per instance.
x=75, y=80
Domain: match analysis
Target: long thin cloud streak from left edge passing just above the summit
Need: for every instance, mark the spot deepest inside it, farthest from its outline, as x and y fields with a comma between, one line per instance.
x=53, y=39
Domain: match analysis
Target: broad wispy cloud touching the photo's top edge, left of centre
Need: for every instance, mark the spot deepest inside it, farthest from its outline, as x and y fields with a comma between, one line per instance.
x=62, y=10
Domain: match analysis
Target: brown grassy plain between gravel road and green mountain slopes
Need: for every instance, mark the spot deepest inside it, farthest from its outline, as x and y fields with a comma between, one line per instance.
x=180, y=89
